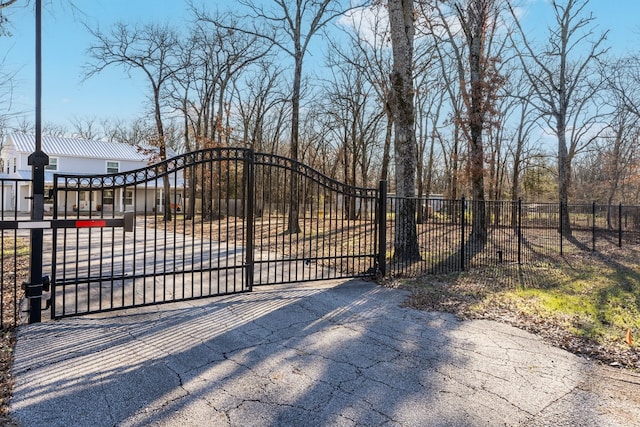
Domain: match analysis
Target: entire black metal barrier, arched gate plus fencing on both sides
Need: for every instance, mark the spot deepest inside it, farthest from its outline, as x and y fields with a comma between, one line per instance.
x=231, y=230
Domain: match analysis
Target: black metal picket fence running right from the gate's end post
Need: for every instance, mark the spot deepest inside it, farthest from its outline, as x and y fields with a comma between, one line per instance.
x=516, y=233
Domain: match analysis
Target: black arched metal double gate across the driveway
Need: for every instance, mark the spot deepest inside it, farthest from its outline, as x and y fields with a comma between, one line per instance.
x=206, y=223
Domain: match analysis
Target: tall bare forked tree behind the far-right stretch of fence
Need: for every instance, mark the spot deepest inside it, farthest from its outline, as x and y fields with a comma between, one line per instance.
x=565, y=83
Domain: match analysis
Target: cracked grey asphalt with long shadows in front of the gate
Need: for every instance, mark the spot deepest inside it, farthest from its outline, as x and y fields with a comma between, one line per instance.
x=317, y=354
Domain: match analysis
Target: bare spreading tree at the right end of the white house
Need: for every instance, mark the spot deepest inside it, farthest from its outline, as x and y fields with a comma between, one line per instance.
x=152, y=50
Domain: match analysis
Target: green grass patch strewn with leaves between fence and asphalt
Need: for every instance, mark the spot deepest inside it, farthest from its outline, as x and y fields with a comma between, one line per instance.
x=588, y=295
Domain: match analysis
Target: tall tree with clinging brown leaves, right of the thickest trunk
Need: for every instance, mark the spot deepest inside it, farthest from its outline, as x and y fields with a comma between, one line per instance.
x=468, y=30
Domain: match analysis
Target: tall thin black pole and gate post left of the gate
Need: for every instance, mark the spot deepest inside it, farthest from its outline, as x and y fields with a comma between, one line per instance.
x=38, y=160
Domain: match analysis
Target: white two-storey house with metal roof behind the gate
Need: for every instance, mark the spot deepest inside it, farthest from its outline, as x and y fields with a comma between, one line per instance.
x=81, y=157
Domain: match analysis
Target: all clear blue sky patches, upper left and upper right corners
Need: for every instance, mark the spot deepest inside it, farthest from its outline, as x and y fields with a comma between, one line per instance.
x=115, y=94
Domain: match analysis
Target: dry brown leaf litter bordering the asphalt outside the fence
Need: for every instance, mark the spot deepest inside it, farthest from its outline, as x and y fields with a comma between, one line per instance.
x=476, y=295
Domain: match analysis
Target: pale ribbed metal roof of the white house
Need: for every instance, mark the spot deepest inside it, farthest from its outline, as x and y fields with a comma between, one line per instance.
x=74, y=147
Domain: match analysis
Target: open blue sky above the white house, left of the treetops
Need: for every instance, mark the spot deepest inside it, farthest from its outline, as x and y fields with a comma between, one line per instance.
x=65, y=40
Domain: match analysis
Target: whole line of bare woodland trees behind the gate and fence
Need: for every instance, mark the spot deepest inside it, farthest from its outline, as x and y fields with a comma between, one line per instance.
x=437, y=97
